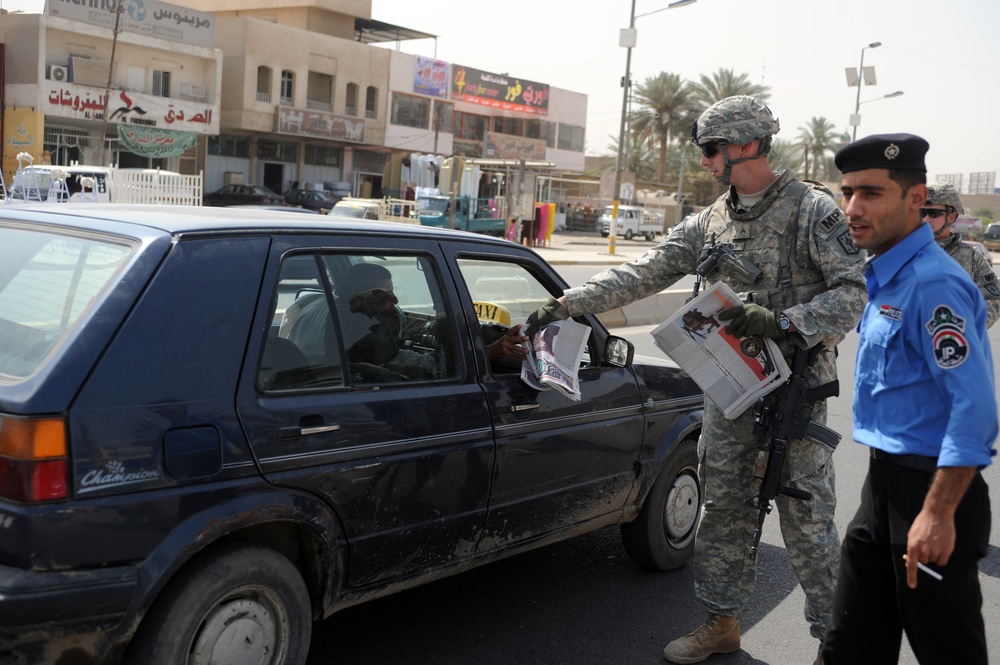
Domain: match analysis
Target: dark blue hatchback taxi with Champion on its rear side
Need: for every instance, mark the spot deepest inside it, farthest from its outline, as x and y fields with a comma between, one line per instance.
x=219, y=425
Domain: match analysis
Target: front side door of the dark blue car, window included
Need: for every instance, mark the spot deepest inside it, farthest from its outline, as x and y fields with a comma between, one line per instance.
x=559, y=462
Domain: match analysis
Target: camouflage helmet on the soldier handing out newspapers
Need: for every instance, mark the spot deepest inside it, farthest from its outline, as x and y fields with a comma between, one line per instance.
x=738, y=119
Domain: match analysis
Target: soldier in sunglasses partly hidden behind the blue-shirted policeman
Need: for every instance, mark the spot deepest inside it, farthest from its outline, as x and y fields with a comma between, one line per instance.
x=942, y=208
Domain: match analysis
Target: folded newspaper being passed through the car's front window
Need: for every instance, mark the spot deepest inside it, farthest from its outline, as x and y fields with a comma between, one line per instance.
x=554, y=355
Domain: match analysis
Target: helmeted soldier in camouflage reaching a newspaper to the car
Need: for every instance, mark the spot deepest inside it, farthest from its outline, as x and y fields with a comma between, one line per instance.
x=805, y=287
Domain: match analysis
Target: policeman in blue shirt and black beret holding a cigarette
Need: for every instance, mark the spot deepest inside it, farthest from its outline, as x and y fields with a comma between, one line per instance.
x=924, y=404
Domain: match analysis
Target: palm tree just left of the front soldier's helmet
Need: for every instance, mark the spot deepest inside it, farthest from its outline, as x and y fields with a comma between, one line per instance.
x=664, y=108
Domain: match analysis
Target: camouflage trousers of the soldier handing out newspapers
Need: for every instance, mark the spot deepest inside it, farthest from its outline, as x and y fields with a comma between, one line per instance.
x=725, y=571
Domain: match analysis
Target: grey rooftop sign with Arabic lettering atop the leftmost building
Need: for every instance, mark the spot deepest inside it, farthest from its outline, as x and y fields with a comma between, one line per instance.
x=144, y=17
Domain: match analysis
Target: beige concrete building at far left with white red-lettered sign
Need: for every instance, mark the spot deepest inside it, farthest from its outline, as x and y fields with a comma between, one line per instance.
x=61, y=93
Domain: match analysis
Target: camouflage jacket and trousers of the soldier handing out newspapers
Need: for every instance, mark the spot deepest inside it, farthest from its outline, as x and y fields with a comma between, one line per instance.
x=820, y=287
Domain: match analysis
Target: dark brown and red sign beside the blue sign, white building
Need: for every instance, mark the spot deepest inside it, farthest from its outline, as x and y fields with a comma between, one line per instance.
x=498, y=91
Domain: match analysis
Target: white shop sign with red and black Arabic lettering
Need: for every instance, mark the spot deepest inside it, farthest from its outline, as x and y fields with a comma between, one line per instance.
x=68, y=100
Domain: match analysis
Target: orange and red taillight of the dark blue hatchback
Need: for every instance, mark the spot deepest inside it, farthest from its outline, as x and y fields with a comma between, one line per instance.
x=33, y=459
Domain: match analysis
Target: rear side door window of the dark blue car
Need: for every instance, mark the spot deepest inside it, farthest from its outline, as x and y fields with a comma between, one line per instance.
x=353, y=320
